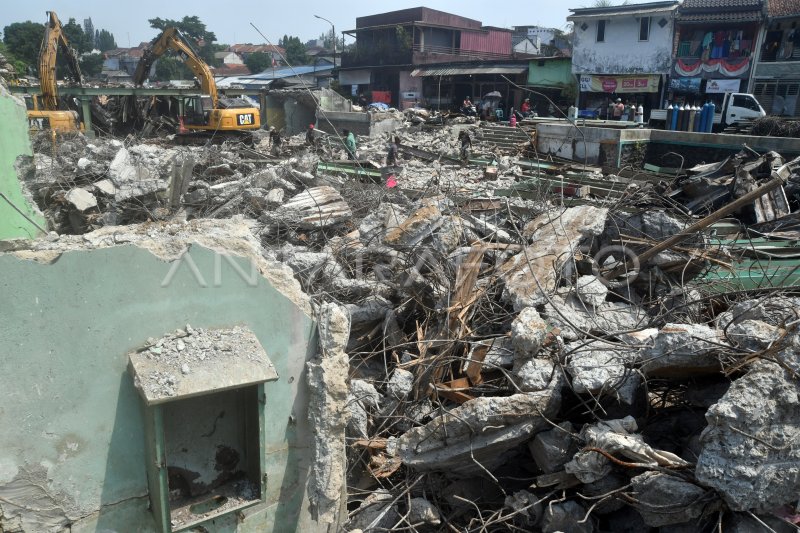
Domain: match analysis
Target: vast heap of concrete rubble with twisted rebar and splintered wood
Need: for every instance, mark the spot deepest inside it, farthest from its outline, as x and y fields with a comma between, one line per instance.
x=514, y=361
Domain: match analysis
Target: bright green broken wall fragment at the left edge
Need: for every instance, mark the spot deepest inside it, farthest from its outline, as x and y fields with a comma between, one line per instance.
x=14, y=142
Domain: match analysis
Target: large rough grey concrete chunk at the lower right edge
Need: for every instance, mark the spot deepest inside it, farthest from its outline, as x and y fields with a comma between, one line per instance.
x=749, y=452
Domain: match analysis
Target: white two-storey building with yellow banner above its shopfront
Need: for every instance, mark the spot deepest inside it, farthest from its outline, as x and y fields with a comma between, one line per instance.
x=622, y=52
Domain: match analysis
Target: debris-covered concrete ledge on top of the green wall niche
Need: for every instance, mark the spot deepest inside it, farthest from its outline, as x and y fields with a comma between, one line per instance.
x=200, y=361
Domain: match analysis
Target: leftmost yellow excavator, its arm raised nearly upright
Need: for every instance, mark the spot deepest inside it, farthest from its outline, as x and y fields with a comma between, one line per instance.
x=44, y=113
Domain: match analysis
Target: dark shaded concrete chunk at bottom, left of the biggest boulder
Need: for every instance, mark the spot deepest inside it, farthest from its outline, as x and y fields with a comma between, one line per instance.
x=663, y=499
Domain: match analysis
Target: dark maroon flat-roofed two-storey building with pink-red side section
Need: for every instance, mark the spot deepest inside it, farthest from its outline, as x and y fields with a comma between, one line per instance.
x=391, y=47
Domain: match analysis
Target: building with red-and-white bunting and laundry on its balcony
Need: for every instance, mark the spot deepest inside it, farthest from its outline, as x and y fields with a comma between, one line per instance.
x=716, y=44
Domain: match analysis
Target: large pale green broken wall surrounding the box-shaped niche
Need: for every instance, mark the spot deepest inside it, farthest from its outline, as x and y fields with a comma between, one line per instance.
x=65, y=331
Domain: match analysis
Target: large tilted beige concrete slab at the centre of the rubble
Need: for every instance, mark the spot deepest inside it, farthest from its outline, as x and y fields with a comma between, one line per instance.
x=532, y=273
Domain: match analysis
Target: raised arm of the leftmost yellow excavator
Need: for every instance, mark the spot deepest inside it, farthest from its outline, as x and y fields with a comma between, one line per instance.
x=54, y=40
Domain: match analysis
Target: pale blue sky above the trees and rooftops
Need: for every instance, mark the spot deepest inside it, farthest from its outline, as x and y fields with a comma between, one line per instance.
x=127, y=20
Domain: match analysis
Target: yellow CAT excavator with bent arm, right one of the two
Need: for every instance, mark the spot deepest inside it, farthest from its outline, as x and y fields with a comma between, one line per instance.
x=206, y=114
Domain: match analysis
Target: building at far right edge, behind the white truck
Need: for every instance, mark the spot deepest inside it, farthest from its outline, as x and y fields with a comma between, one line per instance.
x=776, y=78
